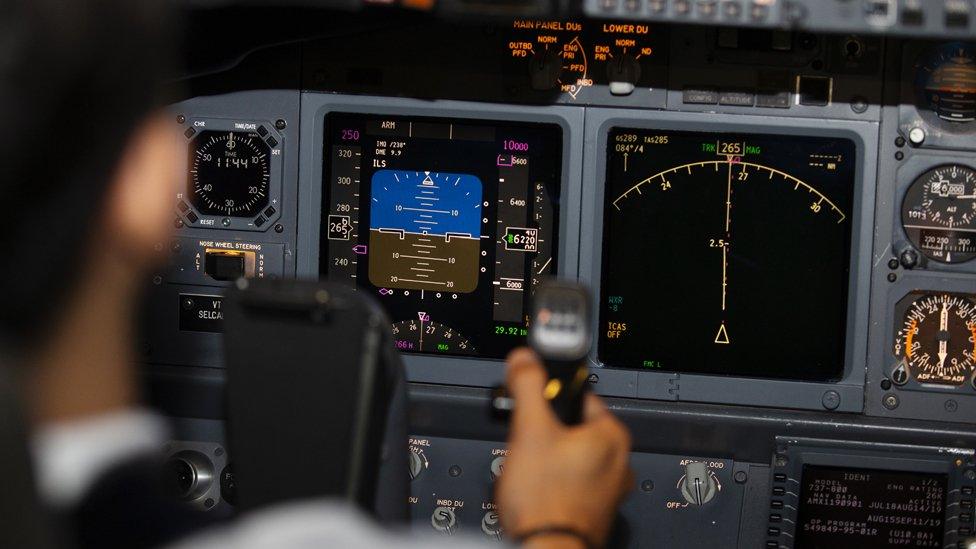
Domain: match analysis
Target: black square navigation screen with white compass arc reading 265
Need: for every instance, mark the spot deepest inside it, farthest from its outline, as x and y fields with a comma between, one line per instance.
x=726, y=253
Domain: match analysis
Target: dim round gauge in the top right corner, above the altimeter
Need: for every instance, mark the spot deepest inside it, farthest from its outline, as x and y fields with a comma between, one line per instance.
x=946, y=82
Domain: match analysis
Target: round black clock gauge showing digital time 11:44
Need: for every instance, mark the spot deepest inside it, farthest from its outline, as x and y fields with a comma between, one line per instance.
x=230, y=174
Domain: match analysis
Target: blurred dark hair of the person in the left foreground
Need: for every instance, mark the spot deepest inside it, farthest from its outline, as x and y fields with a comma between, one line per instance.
x=75, y=79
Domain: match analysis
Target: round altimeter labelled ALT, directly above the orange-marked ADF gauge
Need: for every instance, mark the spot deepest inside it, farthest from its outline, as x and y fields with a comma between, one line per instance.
x=939, y=213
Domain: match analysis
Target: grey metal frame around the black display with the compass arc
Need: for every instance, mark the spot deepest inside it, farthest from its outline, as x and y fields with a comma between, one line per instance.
x=727, y=389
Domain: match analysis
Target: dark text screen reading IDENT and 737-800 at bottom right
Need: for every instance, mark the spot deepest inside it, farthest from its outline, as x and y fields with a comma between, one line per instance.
x=842, y=508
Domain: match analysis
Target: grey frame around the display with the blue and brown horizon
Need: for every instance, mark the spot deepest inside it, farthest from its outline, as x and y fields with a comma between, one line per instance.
x=315, y=106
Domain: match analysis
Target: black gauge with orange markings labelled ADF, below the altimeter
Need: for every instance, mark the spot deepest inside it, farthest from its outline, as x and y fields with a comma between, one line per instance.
x=937, y=339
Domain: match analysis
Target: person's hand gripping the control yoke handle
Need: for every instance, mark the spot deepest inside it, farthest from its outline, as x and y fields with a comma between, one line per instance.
x=558, y=476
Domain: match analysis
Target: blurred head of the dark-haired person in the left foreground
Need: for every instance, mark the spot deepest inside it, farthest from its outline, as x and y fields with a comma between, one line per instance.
x=87, y=168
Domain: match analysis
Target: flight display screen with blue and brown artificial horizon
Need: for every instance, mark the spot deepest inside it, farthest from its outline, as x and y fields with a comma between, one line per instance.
x=449, y=223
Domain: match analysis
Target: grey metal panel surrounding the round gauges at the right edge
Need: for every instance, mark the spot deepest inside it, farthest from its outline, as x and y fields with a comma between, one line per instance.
x=898, y=167
